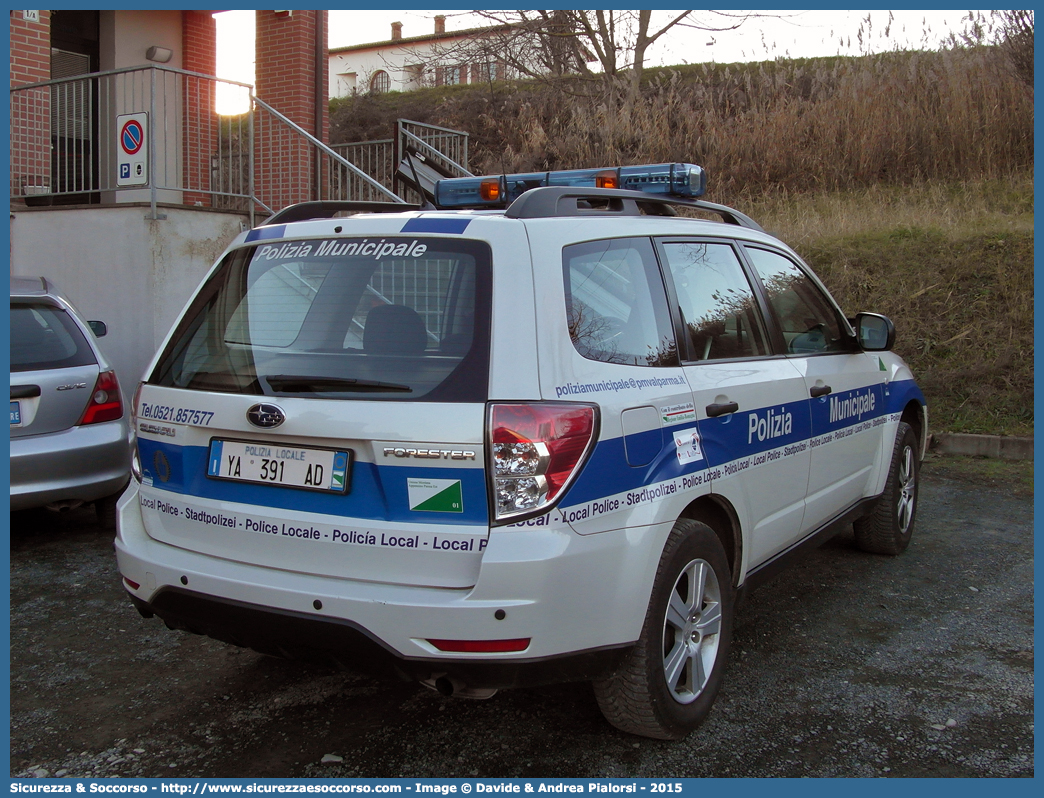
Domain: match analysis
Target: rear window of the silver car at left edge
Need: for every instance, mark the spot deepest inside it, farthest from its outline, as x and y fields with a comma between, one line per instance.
x=43, y=337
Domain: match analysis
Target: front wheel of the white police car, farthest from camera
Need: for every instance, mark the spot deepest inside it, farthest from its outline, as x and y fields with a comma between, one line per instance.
x=889, y=527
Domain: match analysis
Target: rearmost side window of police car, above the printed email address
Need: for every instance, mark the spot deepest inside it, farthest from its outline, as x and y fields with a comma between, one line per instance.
x=616, y=304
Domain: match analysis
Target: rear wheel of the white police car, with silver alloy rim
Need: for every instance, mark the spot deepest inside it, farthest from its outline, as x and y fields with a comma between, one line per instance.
x=667, y=686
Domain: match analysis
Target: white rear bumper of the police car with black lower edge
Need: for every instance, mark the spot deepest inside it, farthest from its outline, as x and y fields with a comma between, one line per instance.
x=581, y=602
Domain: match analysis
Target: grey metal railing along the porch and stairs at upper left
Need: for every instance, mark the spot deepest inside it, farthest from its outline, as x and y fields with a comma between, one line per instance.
x=195, y=152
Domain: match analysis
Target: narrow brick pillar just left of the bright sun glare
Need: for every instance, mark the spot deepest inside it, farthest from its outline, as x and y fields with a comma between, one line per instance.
x=200, y=104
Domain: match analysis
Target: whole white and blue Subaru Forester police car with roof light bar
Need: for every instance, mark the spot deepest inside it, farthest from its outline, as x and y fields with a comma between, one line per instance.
x=541, y=430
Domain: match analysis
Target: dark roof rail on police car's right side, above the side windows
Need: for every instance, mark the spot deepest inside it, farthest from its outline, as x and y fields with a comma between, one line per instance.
x=549, y=202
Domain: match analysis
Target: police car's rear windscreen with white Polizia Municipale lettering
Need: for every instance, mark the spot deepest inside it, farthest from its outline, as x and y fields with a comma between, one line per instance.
x=399, y=319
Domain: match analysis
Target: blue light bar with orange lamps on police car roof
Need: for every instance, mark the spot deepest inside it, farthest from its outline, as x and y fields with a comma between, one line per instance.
x=685, y=181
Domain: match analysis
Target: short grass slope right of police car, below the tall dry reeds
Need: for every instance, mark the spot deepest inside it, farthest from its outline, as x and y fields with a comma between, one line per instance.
x=953, y=266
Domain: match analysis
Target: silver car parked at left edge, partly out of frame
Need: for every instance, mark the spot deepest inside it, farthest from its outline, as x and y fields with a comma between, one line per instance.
x=70, y=435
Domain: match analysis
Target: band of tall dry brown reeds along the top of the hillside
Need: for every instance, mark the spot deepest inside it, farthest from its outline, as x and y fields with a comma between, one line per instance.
x=820, y=125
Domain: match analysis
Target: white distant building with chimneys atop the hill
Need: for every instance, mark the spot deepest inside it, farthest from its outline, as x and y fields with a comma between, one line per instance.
x=437, y=59
